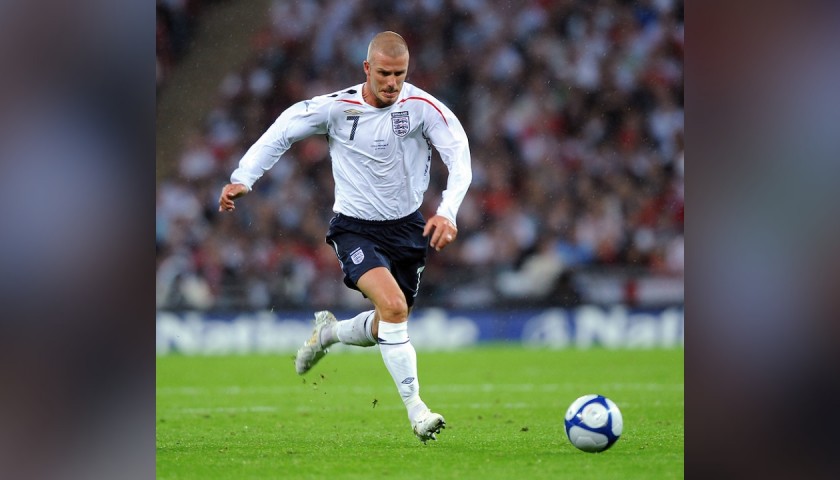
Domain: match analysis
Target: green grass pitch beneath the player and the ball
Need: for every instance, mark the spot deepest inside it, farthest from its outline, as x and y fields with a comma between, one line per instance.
x=249, y=417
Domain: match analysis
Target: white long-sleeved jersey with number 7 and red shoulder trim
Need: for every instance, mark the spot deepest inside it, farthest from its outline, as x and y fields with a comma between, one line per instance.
x=380, y=156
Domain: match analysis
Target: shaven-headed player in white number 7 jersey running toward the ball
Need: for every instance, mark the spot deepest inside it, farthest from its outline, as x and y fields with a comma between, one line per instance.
x=381, y=135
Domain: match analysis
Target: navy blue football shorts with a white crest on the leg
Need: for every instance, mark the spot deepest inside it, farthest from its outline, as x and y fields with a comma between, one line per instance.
x=398, y=245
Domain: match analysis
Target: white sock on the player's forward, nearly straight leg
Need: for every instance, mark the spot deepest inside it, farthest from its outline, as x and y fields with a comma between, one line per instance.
x=401, y=361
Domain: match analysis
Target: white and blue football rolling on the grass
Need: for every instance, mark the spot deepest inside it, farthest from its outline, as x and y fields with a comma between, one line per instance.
x=593, y=423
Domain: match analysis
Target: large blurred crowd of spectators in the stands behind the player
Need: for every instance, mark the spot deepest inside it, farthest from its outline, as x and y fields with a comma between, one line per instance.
x=574, y=111
